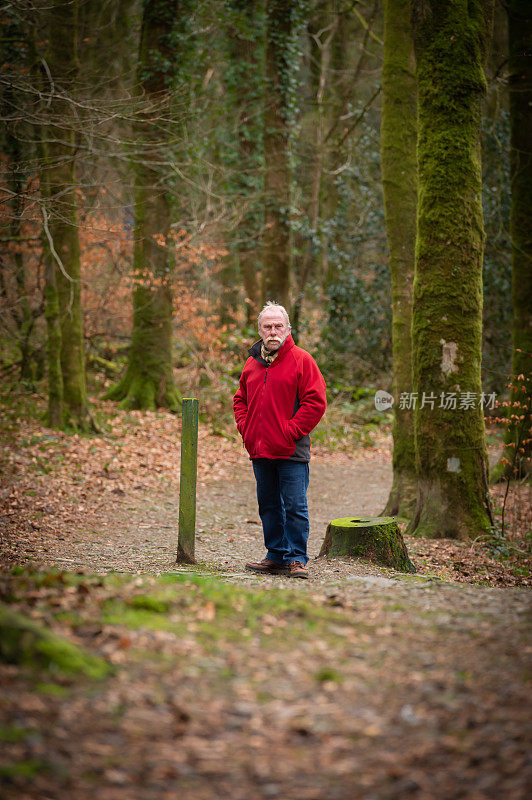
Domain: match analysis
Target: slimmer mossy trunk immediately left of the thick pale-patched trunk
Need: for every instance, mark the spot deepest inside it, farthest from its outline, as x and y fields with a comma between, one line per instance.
x=399, y=180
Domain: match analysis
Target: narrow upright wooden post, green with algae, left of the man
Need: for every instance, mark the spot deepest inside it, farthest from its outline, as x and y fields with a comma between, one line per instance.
x=187, y=484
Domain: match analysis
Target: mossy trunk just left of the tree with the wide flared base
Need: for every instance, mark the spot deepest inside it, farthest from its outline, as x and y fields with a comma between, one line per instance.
x=62, y=229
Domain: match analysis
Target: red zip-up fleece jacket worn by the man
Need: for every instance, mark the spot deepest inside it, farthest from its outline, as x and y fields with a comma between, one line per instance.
x=277, y=406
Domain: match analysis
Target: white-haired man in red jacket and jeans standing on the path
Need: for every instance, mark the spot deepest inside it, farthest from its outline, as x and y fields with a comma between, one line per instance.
x=280, y=399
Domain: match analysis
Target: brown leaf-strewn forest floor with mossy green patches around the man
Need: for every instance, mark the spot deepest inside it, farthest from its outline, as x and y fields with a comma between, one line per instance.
x=360, y=682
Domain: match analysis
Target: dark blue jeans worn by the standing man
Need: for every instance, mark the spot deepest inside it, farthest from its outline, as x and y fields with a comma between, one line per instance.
x=282, y=494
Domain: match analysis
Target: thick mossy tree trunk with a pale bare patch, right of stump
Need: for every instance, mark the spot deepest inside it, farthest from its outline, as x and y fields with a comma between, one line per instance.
x=451, y=457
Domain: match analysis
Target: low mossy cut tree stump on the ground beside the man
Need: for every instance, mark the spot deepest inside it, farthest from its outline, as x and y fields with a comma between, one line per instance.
x=376, y=538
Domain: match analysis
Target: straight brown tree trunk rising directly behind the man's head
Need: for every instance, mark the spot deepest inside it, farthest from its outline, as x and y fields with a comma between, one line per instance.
x=278, y=117
